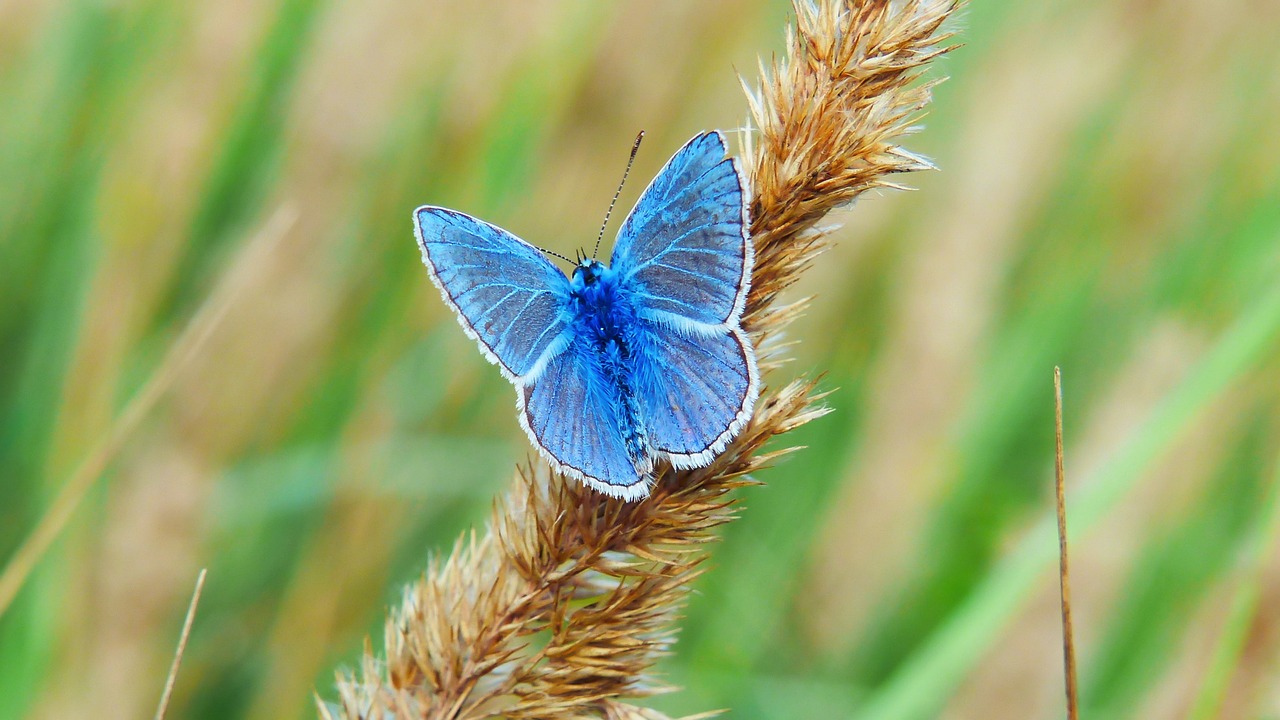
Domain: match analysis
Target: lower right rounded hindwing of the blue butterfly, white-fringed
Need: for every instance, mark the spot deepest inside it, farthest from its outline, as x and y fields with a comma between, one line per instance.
x=697, y=391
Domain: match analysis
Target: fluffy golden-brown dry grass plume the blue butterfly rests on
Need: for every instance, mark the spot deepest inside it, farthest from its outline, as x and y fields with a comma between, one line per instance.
x=566, y=603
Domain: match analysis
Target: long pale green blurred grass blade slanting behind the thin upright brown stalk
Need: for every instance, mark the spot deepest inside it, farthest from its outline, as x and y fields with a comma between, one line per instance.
x=932, y=673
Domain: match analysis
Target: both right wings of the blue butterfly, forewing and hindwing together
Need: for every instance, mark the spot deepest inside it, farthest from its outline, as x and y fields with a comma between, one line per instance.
x=685, y=258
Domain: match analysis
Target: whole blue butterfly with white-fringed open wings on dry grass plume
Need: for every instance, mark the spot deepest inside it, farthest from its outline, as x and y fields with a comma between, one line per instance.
x=628, y=364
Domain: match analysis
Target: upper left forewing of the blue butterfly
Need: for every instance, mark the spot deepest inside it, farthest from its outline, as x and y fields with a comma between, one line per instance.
x=509, y=298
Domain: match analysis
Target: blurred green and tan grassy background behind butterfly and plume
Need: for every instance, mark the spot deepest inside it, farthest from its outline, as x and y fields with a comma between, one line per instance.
x=1109, y=202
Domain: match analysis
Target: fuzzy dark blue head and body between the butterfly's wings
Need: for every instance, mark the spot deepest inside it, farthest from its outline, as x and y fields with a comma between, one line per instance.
x=605, y=316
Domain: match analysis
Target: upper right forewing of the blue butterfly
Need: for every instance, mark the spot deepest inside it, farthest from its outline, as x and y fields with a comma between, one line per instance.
x=684, y=252
